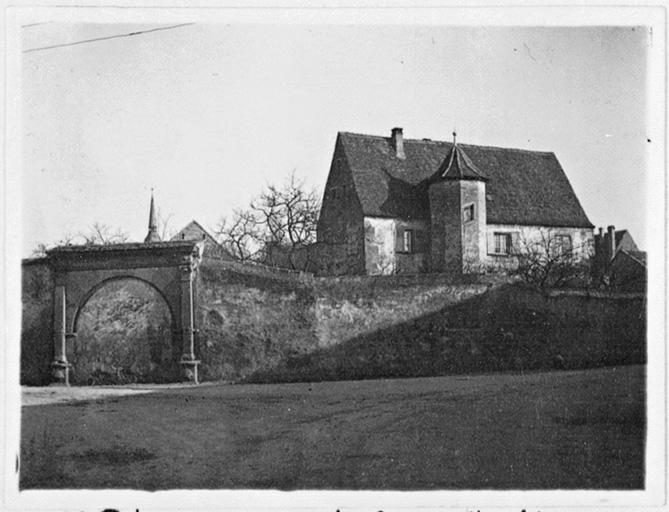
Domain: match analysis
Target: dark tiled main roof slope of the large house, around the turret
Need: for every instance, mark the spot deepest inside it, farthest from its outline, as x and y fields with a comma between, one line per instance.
x=524, y=187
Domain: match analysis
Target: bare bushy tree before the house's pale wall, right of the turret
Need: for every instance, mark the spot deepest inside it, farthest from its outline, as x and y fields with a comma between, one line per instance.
x=550, y=261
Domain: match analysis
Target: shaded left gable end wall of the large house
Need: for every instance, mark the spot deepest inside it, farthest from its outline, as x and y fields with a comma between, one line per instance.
x=340, y=232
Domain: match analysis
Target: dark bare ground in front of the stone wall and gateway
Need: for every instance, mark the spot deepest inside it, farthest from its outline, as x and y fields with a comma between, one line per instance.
x=572, y=429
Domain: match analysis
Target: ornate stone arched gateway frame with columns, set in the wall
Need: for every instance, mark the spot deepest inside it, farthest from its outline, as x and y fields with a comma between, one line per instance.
x=169, y=267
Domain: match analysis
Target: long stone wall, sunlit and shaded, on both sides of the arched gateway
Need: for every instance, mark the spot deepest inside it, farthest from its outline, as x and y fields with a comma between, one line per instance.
x=261, y=324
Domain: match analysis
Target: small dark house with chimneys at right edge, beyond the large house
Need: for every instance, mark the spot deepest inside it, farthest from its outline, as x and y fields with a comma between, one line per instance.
x=618, y=262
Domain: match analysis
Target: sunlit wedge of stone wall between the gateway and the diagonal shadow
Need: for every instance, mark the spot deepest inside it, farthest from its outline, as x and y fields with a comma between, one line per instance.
x=253, y=320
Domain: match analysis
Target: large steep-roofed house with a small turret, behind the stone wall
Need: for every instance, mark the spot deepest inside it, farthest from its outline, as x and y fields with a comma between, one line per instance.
x=395, y=205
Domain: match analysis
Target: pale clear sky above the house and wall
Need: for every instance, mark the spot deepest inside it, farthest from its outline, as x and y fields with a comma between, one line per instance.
x=207, y=114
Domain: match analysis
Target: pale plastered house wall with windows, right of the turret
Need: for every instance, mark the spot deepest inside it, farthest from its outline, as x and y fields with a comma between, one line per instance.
x=582, y=240
